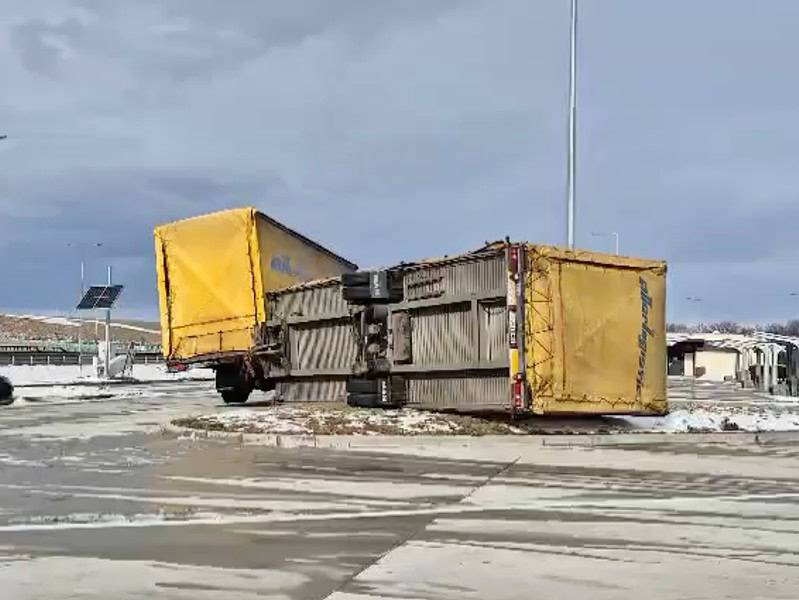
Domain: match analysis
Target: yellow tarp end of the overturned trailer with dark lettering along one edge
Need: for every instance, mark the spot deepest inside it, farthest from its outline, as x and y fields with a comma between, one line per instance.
x=596, y=332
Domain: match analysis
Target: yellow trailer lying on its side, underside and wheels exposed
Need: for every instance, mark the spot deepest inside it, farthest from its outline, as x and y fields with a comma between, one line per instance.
x=514, y=327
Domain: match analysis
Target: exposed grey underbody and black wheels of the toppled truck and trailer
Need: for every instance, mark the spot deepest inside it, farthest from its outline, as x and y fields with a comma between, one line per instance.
x=384, y=338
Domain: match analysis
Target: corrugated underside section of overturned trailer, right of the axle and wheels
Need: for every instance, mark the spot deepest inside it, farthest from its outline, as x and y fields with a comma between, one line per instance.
x=457, y=351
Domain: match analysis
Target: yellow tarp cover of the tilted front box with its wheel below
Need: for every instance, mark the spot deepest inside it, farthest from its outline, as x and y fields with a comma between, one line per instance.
x=214, y=271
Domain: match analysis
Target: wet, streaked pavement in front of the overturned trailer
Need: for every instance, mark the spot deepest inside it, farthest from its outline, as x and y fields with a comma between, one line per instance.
x=99, y=499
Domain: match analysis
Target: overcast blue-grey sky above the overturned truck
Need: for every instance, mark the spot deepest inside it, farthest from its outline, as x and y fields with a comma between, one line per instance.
x=399, y=129
